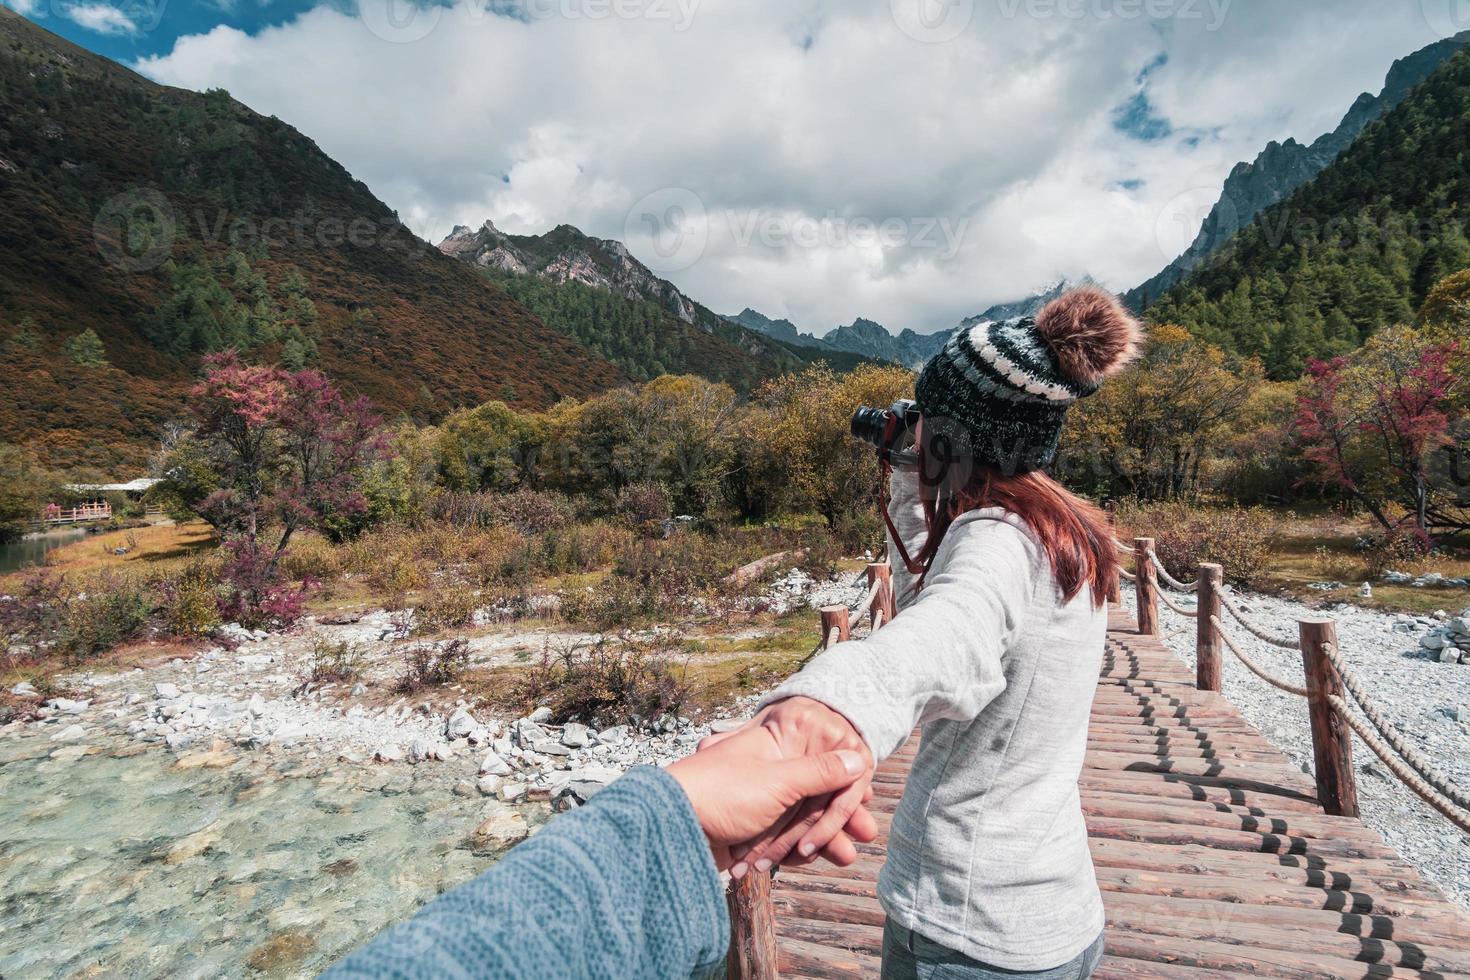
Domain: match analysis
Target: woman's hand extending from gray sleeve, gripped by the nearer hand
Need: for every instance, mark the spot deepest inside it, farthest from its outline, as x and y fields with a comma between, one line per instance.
x=822, y=825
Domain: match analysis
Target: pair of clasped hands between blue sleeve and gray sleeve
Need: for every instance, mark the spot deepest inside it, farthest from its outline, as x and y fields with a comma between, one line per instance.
x=787, y=787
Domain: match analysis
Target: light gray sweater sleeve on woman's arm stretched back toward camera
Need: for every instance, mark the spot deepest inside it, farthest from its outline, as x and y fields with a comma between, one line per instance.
x=942, y=657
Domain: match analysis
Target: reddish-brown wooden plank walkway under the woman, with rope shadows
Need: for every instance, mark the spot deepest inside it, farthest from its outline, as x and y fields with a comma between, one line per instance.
x=1212, y=853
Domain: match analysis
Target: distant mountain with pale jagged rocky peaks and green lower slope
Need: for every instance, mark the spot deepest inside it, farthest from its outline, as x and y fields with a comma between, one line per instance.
x=598, y=293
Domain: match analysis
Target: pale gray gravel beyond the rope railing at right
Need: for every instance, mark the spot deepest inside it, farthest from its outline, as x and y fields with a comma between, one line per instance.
x=1427, y=700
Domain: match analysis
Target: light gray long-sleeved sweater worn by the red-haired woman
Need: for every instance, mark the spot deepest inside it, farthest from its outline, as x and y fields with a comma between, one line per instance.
x=989, y=851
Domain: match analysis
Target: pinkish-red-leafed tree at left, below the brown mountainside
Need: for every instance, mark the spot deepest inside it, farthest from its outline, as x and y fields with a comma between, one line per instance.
x=273, y=453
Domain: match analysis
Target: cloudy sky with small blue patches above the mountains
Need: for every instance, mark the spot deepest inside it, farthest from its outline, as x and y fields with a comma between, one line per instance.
x=906, y=161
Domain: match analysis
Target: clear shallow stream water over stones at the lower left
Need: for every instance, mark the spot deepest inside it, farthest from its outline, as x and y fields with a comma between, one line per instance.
x=126, y=866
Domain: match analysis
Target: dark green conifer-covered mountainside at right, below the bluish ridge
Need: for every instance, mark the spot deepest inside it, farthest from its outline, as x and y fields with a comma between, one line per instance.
x=1353, y=251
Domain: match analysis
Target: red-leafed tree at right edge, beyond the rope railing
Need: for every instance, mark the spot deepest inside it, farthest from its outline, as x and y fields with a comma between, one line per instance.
x=1378, y=424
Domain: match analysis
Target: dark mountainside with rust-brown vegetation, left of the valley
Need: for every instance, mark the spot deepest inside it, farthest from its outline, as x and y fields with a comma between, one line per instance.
x=146, y=227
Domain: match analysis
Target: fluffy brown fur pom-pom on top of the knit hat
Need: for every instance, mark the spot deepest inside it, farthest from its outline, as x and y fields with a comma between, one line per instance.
x=1090, y=333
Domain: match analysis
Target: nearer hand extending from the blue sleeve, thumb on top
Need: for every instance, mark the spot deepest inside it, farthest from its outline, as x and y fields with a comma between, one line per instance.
x=745, y=785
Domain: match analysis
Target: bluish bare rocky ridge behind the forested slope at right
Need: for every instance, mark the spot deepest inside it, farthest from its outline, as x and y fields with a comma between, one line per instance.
x=1286, y=167
